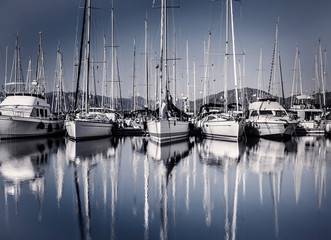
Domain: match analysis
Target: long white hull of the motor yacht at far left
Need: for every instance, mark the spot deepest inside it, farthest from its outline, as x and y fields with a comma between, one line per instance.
x=20, y=127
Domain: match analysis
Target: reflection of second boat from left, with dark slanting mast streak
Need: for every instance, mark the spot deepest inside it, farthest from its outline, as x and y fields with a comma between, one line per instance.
x=86, y=155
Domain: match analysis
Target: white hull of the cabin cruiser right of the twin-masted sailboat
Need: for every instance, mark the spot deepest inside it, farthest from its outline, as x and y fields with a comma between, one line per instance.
x=271, y=128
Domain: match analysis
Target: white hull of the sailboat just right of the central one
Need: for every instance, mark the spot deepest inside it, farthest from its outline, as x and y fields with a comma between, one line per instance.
x=230, y=130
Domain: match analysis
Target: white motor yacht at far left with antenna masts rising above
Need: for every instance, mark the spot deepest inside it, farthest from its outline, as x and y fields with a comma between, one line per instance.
x=25, y=112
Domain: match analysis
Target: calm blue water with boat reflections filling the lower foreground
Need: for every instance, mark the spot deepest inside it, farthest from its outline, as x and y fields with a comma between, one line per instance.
x=131, y=188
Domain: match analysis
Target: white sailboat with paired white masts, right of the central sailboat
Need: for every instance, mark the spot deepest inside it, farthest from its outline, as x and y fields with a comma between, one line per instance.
x=226, y=126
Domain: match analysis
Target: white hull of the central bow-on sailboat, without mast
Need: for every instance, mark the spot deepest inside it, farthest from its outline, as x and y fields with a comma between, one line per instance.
x=165, y=130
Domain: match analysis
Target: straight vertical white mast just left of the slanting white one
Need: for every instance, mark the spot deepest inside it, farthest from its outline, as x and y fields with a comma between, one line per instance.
x=226, y=57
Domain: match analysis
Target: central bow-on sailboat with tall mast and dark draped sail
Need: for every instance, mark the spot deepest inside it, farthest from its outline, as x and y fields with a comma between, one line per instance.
x=170, y=125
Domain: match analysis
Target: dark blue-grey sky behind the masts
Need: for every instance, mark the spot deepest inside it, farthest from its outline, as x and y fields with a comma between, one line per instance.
x=302, y=23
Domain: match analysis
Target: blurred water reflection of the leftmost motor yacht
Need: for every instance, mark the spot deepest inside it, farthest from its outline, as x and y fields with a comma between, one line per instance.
x=26, y=162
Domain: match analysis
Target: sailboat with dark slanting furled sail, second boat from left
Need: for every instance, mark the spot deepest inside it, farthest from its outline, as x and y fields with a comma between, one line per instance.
x=86, y=124
